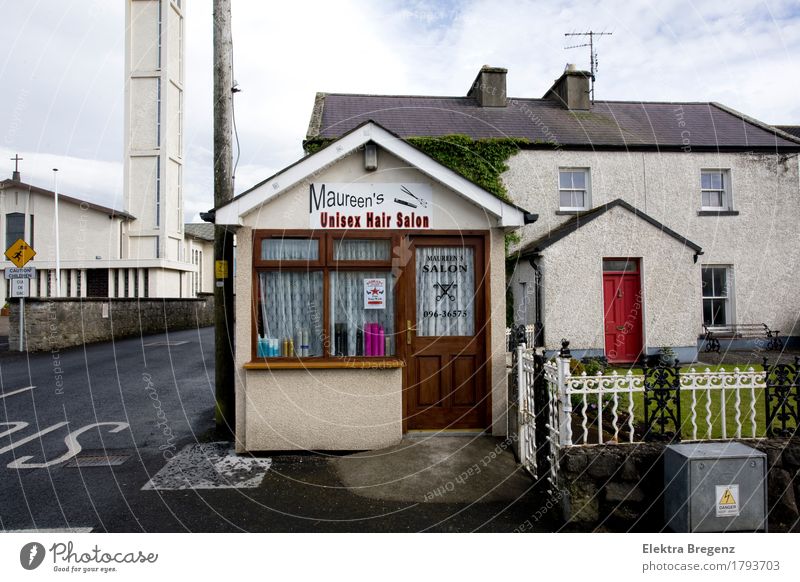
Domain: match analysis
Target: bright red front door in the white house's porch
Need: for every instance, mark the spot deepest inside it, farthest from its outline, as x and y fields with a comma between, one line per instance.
x=622, y=301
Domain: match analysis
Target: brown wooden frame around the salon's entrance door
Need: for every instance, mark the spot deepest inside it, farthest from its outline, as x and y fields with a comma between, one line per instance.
x=409, y=311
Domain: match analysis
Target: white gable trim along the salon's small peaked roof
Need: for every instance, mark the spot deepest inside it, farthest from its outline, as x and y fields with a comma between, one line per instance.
x=508, y=215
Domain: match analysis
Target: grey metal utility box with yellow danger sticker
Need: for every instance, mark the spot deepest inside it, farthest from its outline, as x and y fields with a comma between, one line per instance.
x=715, y=487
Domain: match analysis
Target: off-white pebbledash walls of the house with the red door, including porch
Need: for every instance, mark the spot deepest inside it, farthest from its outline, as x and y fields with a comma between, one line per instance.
x=758, y=242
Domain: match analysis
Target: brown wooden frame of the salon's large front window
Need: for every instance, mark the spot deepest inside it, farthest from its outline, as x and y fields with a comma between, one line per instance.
x=326, y=264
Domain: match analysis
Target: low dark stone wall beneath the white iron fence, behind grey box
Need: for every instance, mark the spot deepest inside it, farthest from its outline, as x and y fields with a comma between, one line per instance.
x=620, y=487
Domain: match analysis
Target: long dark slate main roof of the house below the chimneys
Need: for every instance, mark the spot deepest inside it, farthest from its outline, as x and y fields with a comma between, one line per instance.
x=607, y=125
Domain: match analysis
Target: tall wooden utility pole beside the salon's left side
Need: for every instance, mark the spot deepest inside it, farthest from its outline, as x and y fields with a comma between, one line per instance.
x=223, y=238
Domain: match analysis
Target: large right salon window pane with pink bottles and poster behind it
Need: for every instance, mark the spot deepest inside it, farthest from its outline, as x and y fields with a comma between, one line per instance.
x=362, y=313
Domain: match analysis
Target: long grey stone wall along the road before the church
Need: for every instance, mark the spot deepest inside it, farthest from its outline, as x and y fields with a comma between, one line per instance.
x=60, y=322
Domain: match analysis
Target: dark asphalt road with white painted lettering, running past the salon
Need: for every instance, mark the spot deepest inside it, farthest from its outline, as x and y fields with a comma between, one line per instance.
x=144, y=397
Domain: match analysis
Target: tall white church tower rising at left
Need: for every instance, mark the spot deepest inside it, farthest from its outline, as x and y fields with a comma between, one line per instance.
x=153, y=174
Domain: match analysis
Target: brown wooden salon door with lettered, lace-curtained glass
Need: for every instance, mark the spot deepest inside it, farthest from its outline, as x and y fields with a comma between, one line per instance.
x=445, y=316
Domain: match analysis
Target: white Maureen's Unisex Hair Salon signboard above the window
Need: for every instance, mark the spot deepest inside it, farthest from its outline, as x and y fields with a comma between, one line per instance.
x=362, y=206
